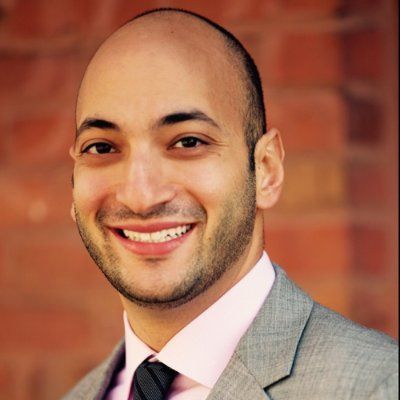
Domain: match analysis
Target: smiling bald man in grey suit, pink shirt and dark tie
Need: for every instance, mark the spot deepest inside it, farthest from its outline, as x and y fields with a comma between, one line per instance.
x=173, y=171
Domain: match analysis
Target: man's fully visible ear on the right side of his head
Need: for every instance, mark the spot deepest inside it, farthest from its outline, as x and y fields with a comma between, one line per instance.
x=268, y=156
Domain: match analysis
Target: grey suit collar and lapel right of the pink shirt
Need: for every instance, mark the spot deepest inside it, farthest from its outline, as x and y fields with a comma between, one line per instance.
x=266, y=352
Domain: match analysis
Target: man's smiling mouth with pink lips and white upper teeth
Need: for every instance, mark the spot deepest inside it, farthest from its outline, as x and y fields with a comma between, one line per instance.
x=154, y=239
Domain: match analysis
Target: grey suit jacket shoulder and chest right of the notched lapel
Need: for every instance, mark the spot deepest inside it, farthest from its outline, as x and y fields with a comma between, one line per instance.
x=341, y=359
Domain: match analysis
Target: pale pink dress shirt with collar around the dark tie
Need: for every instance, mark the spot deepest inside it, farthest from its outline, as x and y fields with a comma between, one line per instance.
x=201, y=350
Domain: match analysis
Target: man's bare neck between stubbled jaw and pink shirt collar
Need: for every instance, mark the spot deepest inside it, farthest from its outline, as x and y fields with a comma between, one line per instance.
x=156, y=327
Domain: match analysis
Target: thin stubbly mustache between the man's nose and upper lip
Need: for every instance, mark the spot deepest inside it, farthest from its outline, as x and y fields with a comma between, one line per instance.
x=122, y=213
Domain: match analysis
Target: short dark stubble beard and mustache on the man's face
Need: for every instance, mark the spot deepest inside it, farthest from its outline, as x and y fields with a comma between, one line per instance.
x=212, y=257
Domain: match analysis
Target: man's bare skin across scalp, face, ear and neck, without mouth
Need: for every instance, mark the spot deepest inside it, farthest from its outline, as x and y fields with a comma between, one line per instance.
x=157, y=66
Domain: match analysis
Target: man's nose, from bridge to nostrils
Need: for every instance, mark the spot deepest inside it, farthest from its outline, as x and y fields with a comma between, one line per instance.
x=145, y=185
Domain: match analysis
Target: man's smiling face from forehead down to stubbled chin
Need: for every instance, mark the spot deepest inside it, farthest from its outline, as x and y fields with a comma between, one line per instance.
x=163, y=197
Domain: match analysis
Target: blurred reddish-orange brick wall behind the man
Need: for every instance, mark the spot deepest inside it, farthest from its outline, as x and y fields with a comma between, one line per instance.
x=329, y=70
